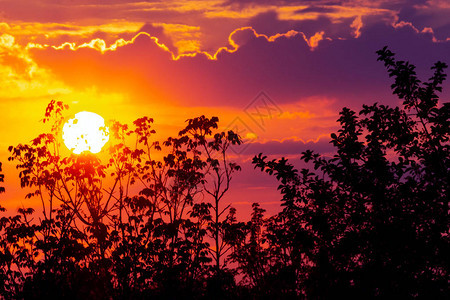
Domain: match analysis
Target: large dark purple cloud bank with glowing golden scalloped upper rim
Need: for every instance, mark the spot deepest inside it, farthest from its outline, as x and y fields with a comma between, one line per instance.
x=281, y=64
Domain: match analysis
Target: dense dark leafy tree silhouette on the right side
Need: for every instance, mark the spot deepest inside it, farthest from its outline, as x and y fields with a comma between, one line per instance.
x=372, y=221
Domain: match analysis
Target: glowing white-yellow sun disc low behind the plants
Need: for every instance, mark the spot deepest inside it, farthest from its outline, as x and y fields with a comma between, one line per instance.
x=86, y=132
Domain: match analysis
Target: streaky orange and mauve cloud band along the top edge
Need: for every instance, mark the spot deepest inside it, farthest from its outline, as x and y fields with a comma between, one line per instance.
x=205, y=25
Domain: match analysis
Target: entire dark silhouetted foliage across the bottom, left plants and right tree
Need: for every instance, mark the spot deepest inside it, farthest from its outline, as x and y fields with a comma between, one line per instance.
x=149, y=222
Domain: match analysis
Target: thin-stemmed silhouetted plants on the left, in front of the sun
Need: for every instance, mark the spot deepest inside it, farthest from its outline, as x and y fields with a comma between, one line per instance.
x=135, y=224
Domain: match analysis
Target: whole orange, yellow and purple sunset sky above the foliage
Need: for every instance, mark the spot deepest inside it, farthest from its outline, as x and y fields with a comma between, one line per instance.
x=277, y=71
